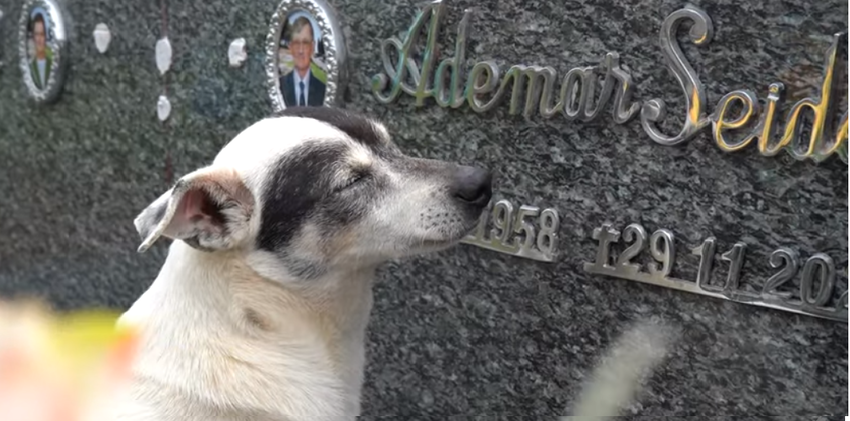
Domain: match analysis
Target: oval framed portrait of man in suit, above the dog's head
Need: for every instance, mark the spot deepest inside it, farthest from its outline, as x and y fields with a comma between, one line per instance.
x=305, y=54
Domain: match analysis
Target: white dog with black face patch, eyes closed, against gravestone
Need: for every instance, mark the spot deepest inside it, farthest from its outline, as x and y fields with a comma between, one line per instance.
x=260, y=309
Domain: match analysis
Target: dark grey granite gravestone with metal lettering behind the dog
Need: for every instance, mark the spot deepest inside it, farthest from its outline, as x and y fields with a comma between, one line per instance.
x=679, y=162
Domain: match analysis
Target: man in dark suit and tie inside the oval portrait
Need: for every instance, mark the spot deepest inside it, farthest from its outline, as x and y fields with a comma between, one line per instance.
x=300, y=86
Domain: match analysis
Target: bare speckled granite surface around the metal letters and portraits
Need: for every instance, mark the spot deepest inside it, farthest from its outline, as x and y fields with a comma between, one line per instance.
x=465, y=332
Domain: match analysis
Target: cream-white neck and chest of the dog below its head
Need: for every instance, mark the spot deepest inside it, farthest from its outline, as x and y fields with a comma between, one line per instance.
x=304, y=344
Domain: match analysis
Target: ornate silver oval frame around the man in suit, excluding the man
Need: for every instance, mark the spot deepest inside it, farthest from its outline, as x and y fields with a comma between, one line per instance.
x=330, y=67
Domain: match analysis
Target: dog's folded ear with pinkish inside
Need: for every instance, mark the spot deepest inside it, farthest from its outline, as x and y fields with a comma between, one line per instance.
x=209, y=209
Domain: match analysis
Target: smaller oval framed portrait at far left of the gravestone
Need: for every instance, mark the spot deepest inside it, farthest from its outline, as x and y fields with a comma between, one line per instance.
x=42, y=47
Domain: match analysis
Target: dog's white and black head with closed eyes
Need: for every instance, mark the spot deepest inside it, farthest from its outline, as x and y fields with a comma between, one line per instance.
x=317, y=188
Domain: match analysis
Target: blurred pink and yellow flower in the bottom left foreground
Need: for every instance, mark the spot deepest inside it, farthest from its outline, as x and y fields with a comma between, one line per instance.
x=61, y=367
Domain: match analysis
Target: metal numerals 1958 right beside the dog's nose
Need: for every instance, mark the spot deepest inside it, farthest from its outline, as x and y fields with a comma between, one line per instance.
x=524, y=231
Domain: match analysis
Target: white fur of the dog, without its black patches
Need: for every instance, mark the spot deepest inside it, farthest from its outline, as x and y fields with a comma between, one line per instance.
x=228, y=333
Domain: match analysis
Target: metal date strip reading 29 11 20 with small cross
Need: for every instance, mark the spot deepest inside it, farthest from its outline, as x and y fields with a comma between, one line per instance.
x=806, y=287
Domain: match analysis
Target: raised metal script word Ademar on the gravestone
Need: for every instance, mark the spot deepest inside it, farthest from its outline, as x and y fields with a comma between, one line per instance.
x=528, y=89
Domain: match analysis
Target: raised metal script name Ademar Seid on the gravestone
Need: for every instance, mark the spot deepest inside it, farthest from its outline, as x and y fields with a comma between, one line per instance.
x=531, y=89
